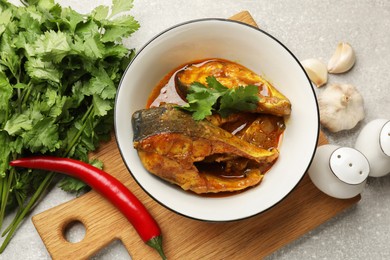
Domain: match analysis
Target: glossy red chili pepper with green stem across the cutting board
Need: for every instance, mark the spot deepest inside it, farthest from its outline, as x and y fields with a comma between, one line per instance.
x=108, y=186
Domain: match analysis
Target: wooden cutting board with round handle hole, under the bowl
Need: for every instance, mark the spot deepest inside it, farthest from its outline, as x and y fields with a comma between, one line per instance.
x=254, y=238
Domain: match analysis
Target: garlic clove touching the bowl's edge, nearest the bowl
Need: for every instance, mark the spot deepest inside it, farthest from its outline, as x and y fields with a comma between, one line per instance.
x=316, y=70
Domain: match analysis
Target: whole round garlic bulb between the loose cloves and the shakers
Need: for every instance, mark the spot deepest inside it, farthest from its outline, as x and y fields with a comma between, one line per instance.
x=341, y=107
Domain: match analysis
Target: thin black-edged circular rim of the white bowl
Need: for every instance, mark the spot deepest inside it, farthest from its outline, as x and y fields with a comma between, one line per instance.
x=156, y=36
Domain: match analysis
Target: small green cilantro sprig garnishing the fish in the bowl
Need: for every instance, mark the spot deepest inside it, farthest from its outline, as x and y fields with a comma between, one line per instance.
x=204, y=100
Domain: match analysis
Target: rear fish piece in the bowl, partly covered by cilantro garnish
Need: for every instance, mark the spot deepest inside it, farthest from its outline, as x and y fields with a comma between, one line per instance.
x=231, y=75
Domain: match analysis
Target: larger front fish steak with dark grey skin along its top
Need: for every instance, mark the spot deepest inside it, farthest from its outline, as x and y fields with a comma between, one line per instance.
x=176, y=148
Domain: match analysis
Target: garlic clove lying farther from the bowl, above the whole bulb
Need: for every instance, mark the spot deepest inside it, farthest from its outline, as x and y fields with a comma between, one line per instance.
x=343, y=59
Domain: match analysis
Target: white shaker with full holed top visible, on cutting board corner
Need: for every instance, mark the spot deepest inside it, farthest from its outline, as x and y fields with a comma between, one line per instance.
x=340, y=172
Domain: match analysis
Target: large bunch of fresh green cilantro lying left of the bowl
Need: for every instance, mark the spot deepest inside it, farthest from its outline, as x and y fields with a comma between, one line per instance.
x=59, y=72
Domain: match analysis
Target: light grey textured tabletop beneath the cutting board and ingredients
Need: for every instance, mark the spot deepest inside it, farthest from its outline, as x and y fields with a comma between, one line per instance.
x=310, y=29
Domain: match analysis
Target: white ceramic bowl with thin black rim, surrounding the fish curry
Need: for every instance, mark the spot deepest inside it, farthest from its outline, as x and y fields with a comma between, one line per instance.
x=258, y=51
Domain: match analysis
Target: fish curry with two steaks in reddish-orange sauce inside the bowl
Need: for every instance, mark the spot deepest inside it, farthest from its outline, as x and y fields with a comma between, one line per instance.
x=223, y=152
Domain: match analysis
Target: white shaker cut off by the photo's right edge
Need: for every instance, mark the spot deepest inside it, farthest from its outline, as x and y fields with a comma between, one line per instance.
x=374, y=142
